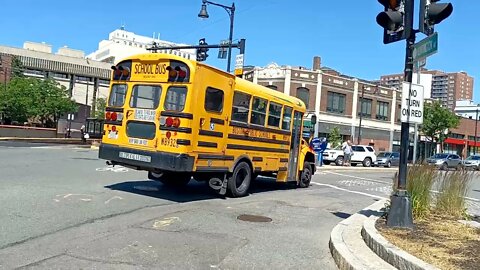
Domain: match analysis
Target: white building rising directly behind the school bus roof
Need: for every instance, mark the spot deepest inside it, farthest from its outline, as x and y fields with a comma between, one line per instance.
x=122, y=43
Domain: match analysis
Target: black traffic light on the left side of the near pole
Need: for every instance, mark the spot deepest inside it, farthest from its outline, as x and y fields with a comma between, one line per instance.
x=394, y=20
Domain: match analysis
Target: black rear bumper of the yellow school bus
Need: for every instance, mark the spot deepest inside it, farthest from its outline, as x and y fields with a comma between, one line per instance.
x=145, y=160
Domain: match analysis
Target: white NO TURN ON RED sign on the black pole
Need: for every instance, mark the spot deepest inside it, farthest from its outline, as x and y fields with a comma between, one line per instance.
x=412, y=103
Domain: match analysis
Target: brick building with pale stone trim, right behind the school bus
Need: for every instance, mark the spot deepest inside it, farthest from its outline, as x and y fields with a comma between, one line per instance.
x=339, y=101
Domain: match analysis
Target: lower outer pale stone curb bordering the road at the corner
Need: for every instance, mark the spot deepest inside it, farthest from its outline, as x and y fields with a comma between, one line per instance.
x=347, y=246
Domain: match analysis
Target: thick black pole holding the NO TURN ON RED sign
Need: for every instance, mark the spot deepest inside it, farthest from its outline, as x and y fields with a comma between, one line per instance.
x=400, y=214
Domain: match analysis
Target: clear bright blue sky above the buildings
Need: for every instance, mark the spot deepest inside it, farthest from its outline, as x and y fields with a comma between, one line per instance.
x=343, y=33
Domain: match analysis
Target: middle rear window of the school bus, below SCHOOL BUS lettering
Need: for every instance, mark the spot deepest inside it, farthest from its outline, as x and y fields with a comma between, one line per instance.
x=145, y=96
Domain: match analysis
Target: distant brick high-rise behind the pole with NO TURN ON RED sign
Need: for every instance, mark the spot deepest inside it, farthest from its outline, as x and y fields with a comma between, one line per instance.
x=445, y=87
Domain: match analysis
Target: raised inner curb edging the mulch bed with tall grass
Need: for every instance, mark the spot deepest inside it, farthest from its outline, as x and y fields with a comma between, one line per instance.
x=388, y=252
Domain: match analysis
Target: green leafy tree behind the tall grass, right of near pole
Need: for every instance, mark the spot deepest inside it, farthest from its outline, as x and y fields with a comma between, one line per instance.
x=437, y=120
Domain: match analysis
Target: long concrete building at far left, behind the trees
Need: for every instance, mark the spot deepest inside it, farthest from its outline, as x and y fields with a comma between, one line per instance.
x=85, y=79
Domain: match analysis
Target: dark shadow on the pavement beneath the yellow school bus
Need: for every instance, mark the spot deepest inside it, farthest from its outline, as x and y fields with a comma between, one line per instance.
x=194, y=191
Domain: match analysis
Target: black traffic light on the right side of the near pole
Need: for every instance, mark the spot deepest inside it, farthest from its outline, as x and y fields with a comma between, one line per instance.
x=432, y=13
